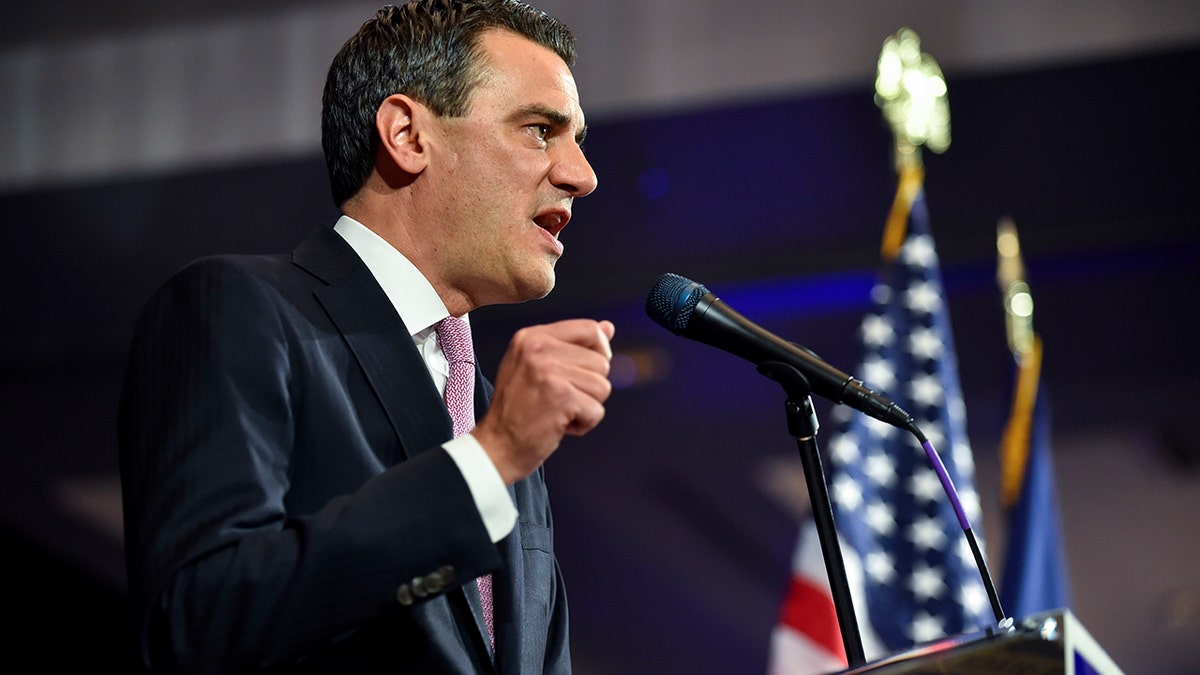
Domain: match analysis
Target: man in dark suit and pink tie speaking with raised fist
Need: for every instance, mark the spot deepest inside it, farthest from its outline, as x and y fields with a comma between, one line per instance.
x=296, y=497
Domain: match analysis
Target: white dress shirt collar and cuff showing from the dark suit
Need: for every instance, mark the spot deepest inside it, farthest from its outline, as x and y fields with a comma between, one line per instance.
x=422, y=309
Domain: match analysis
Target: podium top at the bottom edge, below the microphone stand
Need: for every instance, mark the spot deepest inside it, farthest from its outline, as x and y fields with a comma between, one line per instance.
x=1043, y=644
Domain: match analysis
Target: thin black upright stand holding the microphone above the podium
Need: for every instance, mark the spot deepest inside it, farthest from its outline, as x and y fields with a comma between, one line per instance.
x=802, y=425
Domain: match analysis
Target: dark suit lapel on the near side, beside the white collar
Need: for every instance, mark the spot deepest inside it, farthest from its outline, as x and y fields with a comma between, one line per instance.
x=380, y=342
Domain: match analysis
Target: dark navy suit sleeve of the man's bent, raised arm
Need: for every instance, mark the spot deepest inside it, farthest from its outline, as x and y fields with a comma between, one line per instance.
x=225, y=576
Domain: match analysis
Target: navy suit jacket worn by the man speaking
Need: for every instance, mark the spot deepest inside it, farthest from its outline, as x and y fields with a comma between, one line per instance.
x=286, y=493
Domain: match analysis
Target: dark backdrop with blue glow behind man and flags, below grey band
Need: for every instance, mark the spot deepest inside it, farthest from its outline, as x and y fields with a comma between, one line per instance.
x=674, y=530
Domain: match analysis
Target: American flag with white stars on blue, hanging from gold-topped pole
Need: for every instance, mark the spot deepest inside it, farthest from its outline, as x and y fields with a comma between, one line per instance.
x=911, y=571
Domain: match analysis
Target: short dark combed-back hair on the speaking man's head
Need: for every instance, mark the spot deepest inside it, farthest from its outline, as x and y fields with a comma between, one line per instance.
x=428, y=50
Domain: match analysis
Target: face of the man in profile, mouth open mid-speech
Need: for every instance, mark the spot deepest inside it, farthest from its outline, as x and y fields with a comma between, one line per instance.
x=503, y=177
